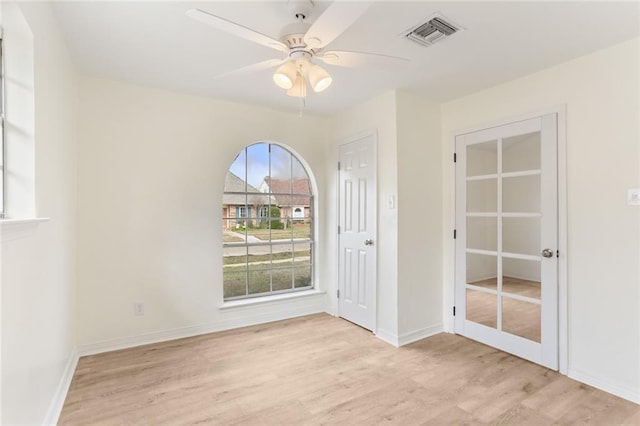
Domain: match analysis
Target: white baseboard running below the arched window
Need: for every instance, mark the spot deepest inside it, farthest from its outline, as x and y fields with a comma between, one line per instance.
x=196, y=330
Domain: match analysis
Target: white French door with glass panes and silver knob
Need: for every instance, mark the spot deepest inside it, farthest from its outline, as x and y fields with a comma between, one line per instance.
x=507, y=238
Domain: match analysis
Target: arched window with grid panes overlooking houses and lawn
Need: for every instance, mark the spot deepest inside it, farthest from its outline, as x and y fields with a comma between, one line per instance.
x=265, y=251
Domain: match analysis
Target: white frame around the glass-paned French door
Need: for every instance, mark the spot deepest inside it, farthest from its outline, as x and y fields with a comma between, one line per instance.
x=560, y=110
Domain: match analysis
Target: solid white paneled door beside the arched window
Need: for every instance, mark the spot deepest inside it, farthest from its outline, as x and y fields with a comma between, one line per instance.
x=357, y=231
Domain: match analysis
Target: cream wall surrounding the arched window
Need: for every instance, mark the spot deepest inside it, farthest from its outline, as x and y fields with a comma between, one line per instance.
x=151, y=174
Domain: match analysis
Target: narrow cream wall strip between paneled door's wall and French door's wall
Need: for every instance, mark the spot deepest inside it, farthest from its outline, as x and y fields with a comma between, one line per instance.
x=419, y=217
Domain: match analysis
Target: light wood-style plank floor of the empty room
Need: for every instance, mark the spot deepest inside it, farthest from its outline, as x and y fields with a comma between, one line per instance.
x=323, y=370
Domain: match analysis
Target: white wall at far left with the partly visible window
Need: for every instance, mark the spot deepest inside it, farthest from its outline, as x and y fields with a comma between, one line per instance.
x=38, y=261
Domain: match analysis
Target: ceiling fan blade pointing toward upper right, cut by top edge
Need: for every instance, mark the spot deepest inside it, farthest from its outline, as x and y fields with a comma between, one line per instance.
x=334, y=21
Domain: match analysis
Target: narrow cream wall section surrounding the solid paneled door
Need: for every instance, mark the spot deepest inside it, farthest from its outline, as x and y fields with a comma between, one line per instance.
x=378, y=116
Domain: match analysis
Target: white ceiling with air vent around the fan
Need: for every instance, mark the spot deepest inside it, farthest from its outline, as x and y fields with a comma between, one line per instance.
x=155, y=44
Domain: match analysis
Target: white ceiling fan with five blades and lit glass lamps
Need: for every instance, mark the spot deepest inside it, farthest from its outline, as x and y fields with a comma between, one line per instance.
x=302, y=44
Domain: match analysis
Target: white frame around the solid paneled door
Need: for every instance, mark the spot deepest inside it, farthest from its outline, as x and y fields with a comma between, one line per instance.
x=374, y=136
